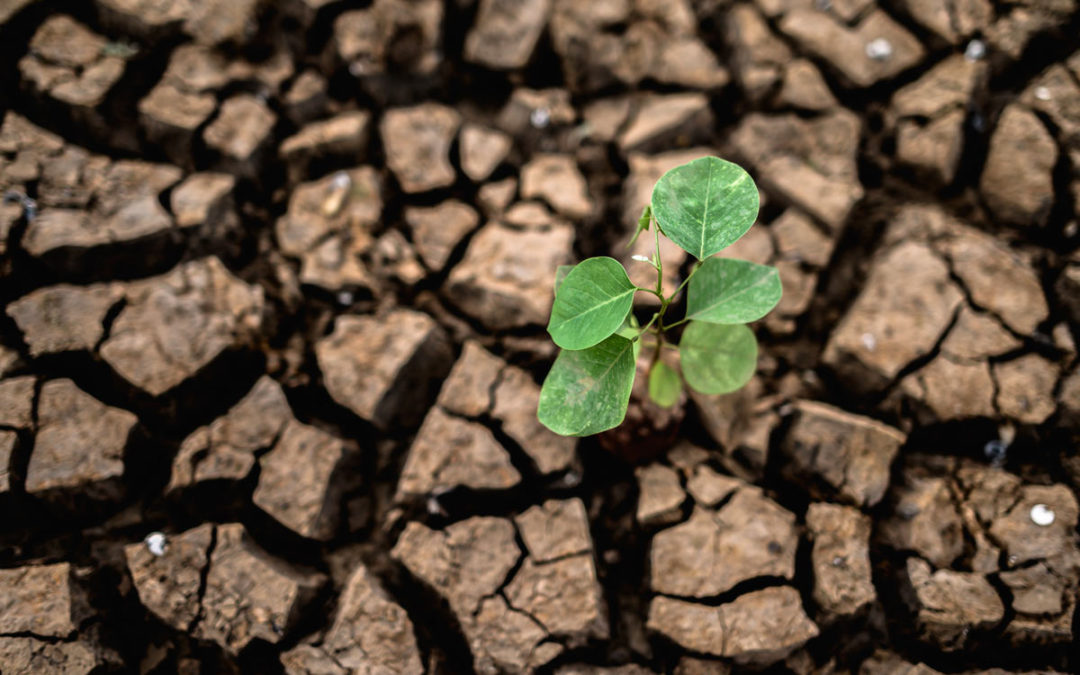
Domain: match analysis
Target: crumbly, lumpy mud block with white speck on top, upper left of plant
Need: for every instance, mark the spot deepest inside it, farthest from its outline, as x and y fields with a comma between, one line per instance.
x=329, y=226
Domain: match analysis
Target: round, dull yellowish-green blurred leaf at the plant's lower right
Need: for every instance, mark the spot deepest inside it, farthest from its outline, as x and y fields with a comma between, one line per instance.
x=718, y=359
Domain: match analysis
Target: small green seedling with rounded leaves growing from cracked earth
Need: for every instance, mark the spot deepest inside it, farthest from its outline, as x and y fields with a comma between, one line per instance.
x=704, y=207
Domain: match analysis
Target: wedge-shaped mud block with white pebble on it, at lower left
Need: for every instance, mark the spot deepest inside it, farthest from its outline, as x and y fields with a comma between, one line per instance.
x=169, y=580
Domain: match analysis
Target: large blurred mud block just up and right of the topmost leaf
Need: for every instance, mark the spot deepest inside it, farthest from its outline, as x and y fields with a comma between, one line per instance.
x=811, y=164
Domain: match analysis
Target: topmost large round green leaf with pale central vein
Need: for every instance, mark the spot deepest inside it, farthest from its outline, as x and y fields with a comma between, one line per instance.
x=706, y=206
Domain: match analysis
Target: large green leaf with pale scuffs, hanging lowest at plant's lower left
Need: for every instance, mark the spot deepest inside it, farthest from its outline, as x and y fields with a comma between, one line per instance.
x=588, y=390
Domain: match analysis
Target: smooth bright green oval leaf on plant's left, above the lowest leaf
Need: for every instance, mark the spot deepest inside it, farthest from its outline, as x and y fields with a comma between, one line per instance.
x=591, y=305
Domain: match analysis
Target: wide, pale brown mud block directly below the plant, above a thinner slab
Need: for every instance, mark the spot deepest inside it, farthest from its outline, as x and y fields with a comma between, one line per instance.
x=751, y=536
